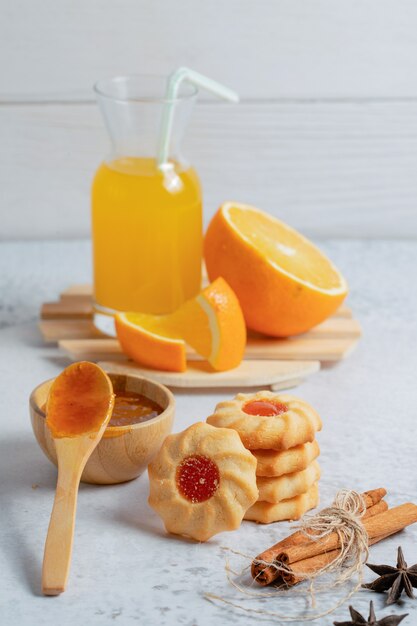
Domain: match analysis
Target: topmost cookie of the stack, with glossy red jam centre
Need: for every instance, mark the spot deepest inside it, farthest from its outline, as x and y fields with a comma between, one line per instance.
x=268, y=421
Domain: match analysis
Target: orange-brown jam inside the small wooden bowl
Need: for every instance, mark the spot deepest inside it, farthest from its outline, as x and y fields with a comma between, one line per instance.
x=133, y=408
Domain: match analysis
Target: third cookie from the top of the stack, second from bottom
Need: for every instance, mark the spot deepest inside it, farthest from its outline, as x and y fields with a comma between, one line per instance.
x=285, y=487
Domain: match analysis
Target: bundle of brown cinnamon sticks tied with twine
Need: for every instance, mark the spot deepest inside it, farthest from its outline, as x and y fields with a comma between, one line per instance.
x=302, y=556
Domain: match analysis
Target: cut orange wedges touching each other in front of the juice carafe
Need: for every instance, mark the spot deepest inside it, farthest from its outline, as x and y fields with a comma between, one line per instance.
x=212, y=324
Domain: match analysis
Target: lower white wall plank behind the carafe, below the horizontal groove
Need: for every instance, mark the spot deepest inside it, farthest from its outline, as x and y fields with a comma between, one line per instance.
x=330, y=169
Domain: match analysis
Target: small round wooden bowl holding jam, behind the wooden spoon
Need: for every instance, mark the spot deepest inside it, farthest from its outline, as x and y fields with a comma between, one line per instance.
x=124, y=452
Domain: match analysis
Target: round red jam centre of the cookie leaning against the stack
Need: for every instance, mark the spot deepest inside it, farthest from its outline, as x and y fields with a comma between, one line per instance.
x=198, y=478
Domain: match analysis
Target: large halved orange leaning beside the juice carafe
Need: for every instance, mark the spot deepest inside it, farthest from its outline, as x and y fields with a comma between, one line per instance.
x=284, y=283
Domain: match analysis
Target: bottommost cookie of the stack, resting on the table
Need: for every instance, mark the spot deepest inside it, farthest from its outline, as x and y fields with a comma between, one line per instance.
x=292, y=509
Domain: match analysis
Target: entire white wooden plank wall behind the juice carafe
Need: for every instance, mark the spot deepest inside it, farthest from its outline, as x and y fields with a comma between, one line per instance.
x=325, y=136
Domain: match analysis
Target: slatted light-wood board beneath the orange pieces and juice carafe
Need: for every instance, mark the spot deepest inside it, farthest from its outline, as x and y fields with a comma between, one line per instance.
x=278, y=363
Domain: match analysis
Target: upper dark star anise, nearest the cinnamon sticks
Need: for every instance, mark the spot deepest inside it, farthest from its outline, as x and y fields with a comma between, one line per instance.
x=396, y=579
